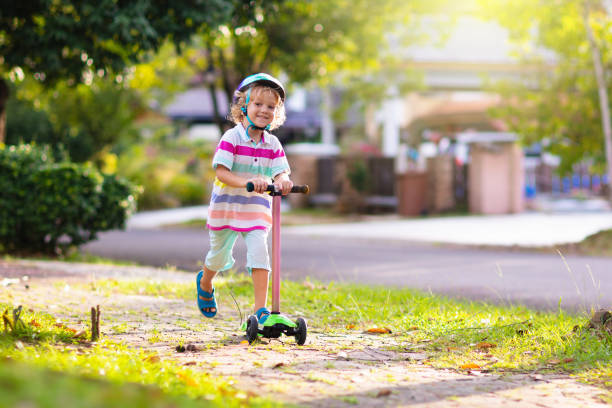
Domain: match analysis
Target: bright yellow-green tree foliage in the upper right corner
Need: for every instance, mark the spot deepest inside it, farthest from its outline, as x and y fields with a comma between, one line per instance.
x=564, y=100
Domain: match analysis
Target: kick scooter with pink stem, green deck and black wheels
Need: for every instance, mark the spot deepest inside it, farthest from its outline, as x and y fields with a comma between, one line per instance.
x=276, y=324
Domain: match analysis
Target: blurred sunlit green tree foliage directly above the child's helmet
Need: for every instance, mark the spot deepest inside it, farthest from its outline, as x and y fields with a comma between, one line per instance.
x=322, y=40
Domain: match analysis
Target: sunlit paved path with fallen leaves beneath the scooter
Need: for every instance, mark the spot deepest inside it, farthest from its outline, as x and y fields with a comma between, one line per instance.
x=332, y=370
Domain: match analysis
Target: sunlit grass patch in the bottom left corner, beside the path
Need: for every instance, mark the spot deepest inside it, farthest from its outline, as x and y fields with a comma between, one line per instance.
x=43, y=363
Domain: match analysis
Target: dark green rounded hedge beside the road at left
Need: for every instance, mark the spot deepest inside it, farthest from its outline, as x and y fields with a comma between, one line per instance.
x=47, y=207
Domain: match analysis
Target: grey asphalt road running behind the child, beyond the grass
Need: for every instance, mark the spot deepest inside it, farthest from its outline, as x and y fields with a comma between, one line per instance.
x=536, y=279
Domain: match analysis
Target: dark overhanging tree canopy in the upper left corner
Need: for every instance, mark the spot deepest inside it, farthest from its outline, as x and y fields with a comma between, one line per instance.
x=63, y=39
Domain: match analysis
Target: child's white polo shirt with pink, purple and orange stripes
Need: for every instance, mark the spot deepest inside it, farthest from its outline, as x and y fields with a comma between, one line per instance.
x=234, y=207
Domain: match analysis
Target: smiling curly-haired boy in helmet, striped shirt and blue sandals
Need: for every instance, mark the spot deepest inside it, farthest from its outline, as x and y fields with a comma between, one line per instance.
x=246, y=153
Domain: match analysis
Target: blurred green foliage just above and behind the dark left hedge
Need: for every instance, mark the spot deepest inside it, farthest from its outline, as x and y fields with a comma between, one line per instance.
x=82, y=121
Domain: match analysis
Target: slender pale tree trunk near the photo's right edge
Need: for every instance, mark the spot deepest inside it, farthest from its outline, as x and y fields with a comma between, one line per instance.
x=604, y=104
